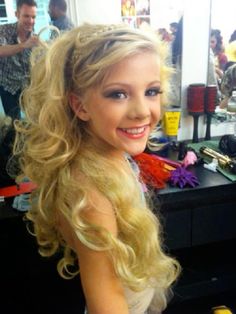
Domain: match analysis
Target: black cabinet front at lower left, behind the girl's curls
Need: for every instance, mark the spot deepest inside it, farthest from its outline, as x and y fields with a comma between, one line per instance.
x=30, y=283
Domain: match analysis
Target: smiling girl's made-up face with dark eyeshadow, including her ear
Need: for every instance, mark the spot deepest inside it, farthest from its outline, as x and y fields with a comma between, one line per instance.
x=123, y=110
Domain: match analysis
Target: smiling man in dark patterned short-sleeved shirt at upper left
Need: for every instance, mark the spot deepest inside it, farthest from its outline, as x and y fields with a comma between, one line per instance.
x=16, y=42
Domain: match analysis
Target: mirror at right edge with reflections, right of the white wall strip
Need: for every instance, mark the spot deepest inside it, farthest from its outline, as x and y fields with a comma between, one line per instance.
x=222, y=54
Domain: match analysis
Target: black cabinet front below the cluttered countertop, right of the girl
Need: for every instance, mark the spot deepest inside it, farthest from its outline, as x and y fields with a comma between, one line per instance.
x=200, y=230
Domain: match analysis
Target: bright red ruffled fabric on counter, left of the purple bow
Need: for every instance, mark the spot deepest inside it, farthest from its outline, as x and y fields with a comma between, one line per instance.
x=152, y=170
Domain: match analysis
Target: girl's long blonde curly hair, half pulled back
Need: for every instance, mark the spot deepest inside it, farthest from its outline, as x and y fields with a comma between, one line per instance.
x=54, y=144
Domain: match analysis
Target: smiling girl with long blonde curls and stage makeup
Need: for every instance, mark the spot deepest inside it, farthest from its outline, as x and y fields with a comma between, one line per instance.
x=93, y=101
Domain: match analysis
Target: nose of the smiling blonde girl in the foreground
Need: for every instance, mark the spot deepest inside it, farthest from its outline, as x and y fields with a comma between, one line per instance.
x=139, y=108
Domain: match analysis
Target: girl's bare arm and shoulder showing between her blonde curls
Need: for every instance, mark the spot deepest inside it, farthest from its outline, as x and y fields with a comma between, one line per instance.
x=103, y=290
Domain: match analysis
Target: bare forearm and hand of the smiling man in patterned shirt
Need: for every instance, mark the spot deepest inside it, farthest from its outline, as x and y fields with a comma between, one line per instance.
x=10, y=50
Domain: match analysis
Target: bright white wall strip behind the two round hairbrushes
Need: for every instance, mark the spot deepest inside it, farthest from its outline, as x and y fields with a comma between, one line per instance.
x=195, y=57
